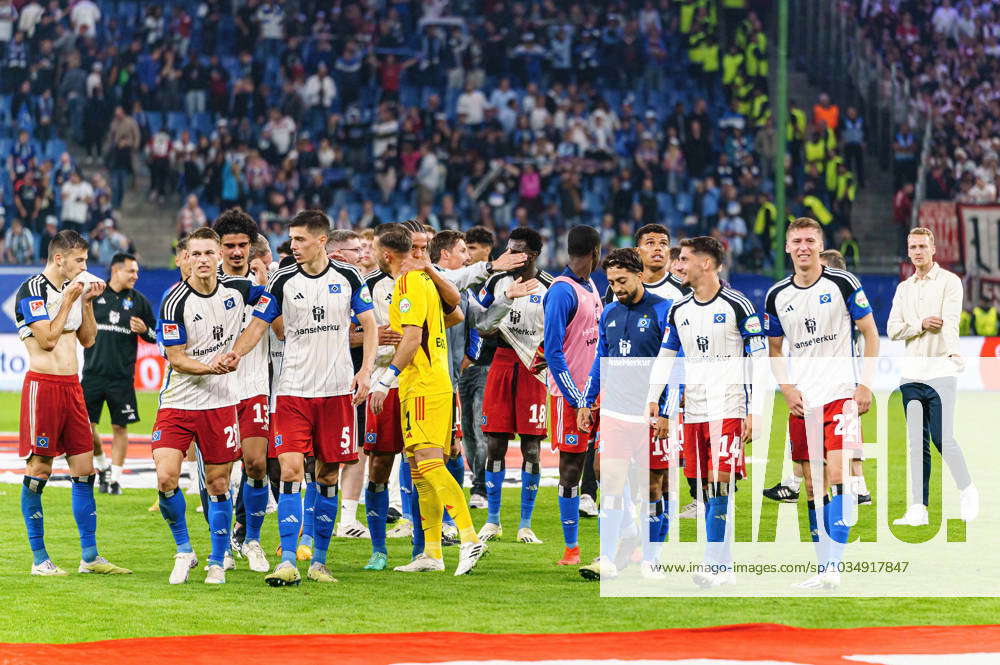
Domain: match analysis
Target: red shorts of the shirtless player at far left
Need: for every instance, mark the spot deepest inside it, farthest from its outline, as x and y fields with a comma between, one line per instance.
x=54, y=417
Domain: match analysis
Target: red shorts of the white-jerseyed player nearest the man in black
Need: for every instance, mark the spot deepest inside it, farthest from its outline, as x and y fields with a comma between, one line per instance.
x=217, y=432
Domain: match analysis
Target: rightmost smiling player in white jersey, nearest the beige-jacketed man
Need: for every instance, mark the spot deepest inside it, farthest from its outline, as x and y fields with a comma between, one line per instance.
x=816, y=311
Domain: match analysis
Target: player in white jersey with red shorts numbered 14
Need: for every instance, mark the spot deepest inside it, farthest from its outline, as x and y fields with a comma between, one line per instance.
x=715, y=327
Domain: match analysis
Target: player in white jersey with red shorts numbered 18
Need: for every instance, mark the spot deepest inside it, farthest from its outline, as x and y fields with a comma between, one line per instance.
x=514, y=399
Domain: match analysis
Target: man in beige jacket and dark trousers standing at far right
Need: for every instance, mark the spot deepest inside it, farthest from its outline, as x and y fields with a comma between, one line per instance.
x=925, y=313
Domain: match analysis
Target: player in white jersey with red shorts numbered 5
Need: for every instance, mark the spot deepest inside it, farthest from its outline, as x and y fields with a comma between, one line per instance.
x=314, y=413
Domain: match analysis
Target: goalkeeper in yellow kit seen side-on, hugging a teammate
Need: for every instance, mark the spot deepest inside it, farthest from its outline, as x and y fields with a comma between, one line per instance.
x=426, y=406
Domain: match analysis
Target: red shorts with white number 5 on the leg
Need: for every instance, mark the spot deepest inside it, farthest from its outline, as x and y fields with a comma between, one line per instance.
x=320, y=426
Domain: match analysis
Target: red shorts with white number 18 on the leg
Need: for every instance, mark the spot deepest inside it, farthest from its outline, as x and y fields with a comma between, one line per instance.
x=514, y=400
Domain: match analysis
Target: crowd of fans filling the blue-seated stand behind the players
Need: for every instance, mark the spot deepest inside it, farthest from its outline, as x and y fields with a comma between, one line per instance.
x=459, y=113
